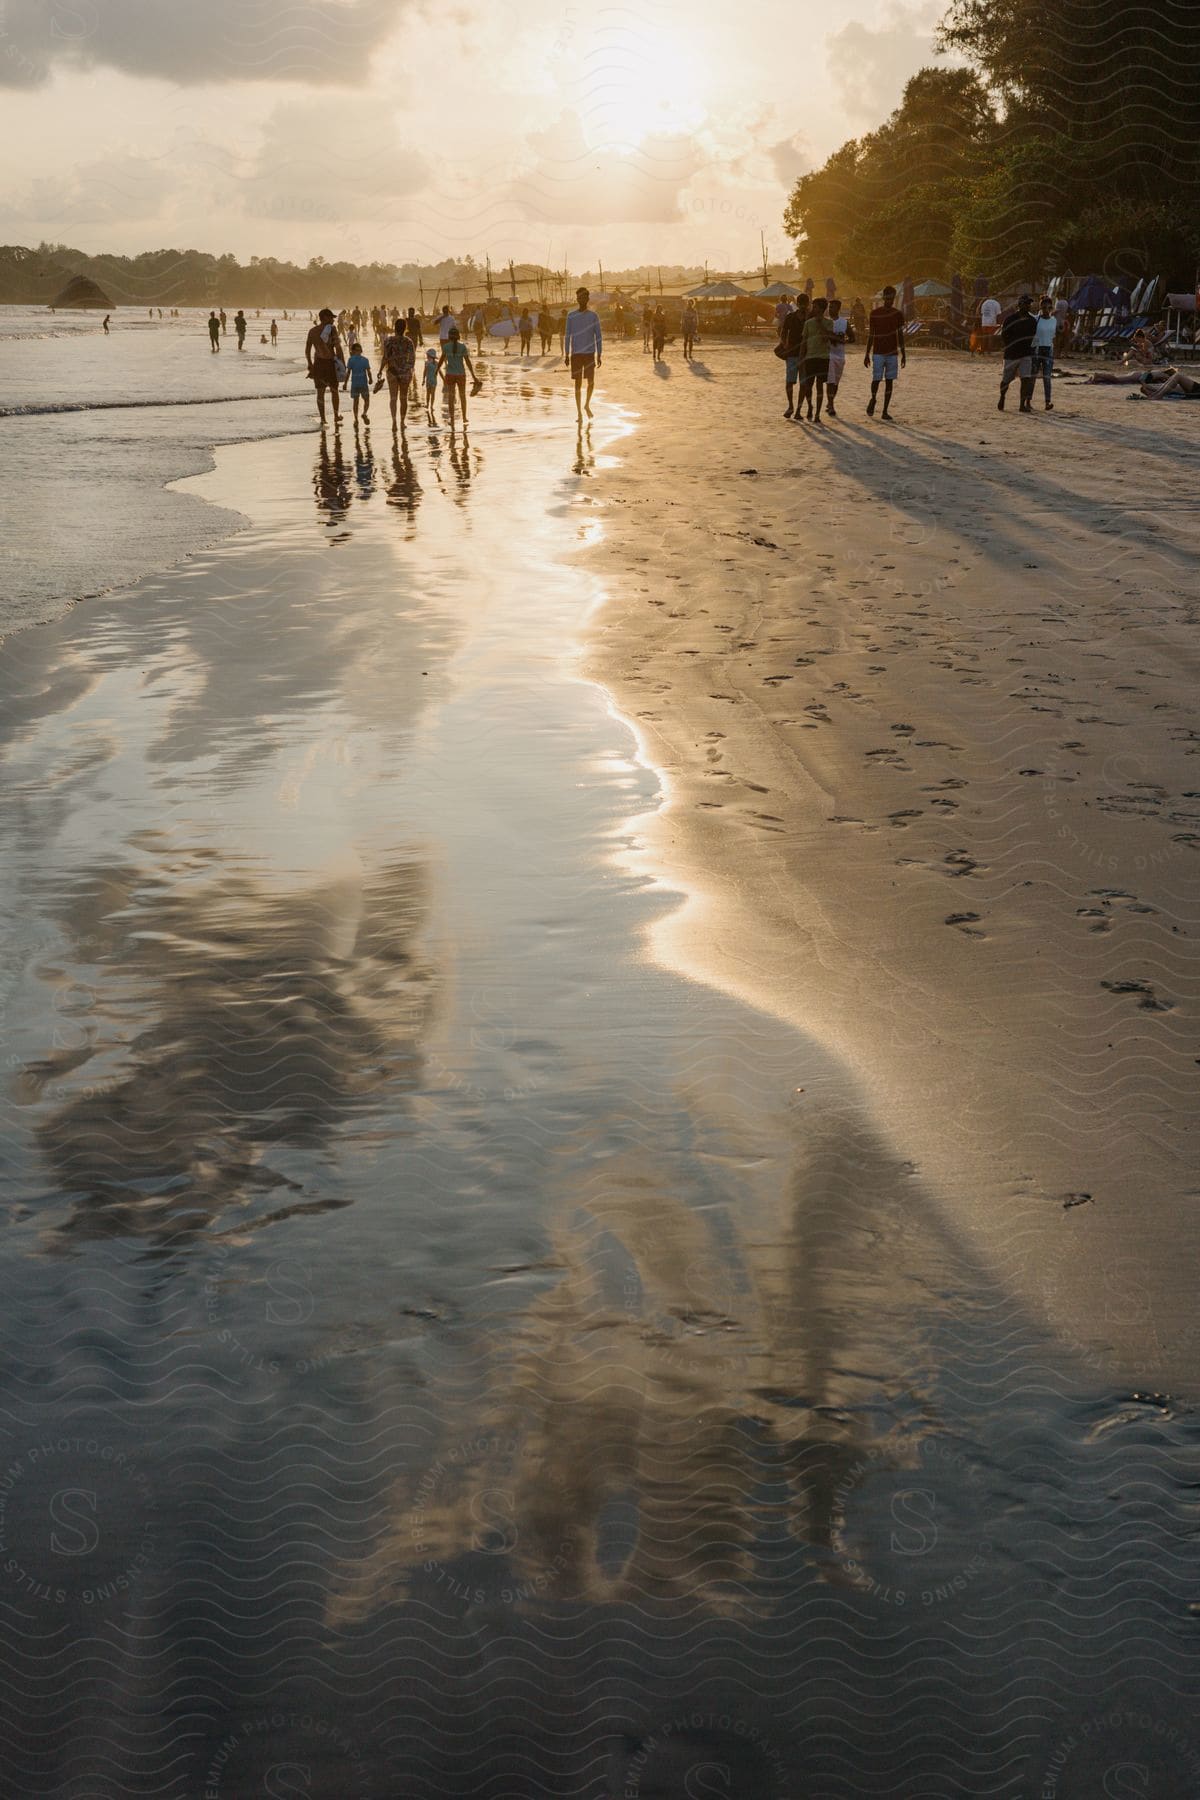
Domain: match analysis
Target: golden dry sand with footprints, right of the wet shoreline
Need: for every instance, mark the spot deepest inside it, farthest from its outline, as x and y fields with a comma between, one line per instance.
x=924, y=697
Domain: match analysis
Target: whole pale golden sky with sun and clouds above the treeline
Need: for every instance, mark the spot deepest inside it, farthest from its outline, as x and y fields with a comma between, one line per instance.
x=562, y=134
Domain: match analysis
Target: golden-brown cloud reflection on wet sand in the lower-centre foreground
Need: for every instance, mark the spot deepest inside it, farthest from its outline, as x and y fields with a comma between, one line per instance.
x=681, y=1394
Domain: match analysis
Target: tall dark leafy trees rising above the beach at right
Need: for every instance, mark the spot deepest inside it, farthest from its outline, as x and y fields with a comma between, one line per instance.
x=1068, y=141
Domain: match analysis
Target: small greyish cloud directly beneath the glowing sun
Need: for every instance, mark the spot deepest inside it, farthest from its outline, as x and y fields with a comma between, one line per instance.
x=568, y=183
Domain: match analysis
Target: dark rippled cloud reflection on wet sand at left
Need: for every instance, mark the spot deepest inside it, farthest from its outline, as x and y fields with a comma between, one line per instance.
x=226, y=1025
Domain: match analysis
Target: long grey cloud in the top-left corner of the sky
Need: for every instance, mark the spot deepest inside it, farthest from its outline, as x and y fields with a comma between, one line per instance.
x=193, y=40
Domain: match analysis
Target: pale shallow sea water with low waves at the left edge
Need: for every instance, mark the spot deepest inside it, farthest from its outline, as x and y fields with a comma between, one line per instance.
x=94, y=427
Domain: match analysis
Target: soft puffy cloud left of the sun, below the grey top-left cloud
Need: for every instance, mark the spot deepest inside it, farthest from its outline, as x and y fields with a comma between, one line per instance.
x=323, y=161
